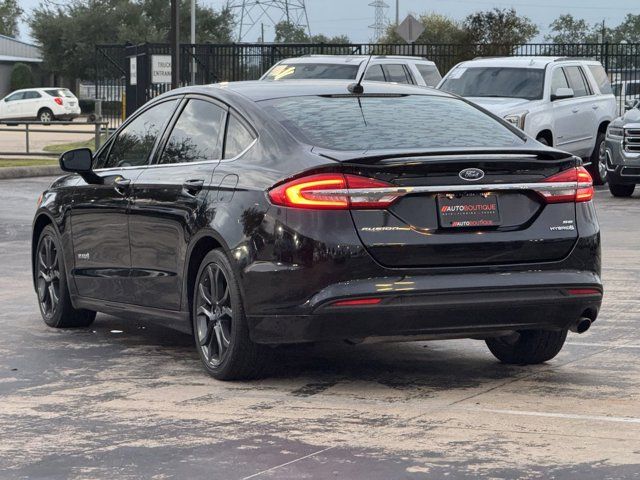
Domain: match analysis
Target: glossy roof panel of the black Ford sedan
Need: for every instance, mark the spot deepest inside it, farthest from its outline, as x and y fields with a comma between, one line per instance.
x=257, y=90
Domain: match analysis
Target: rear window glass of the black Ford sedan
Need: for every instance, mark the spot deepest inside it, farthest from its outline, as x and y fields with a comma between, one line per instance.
x=389, y=122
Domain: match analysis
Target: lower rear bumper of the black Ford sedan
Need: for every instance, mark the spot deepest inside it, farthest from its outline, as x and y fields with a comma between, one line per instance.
x=442, y=306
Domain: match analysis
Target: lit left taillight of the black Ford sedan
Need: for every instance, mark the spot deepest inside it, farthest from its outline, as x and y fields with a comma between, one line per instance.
x=333, y=191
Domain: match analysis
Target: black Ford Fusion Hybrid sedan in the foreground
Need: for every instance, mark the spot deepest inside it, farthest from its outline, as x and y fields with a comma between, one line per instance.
x=264, y=213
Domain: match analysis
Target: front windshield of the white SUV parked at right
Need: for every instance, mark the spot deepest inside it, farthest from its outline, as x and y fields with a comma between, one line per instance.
x=525, y=83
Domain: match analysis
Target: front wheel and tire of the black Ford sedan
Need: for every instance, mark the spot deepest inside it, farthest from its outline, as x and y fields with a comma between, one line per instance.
x=51, y=285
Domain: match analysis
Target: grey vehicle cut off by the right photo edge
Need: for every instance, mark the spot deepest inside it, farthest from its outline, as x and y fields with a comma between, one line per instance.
x=623, y=152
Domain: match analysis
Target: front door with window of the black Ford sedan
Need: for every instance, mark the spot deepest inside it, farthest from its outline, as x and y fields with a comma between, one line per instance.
x=99, y=213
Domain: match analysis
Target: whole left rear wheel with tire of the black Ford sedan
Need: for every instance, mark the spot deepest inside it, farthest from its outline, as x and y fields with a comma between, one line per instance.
x=220, y=329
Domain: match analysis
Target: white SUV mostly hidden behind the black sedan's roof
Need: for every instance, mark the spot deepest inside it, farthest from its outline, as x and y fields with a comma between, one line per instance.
x=381, y=68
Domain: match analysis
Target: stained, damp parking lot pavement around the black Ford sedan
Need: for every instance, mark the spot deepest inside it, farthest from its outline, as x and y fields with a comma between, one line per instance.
x=128, y=399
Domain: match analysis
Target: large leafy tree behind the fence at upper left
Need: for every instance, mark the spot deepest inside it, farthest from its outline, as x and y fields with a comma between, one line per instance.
x=68, y=33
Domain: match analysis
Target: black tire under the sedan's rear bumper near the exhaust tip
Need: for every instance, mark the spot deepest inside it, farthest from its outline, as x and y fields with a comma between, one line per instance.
x=527, y=347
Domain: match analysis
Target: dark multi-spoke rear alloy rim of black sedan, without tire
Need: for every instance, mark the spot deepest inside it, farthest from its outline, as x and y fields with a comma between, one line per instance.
x=214, y=314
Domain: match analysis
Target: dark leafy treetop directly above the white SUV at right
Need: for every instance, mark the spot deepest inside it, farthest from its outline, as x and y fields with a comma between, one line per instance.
x=499, y=26
